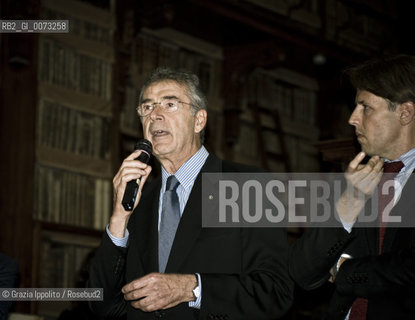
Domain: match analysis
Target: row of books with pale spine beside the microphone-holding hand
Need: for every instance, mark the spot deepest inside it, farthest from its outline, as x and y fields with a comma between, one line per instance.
x=71, y=198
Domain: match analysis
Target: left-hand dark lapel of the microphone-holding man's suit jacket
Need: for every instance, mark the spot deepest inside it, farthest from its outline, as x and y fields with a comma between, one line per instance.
x=146, y=224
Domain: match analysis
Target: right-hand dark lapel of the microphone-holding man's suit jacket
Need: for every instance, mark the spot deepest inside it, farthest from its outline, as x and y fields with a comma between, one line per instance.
x=191, y=221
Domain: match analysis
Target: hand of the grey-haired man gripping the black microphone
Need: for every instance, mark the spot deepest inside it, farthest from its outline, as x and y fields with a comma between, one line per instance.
x=130, y=169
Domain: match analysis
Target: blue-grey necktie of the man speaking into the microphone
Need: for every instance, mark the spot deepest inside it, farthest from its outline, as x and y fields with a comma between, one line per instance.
x=170, y=217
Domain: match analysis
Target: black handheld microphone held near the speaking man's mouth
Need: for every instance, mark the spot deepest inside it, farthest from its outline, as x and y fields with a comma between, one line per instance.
x=131, y=189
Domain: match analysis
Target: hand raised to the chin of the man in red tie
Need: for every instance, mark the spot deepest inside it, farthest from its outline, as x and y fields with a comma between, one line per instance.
x=362, y=180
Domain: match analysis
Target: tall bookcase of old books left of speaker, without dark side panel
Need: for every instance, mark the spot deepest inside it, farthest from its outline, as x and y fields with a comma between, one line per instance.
x=73, y=150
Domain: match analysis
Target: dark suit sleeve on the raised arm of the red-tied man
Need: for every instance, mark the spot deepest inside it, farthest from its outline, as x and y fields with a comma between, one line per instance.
x=314, y=254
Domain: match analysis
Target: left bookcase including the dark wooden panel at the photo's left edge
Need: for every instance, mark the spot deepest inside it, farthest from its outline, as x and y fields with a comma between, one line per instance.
x=57, y=125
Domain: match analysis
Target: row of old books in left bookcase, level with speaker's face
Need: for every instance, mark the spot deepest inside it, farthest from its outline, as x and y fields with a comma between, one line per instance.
x=69, y=130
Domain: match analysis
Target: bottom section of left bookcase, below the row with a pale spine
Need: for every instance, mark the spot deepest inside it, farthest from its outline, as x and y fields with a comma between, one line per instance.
x=62, y=253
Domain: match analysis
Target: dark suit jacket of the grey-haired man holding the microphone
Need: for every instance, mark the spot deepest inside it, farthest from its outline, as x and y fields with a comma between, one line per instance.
x=244, y=271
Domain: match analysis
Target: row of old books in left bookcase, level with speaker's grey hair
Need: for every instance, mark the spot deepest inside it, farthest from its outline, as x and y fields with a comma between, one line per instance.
x=64, y=66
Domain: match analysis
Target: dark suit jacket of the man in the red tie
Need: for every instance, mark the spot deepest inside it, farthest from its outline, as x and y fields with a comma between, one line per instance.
x=386, y=280
